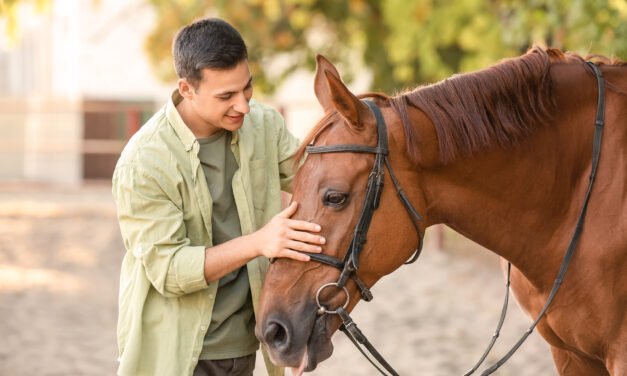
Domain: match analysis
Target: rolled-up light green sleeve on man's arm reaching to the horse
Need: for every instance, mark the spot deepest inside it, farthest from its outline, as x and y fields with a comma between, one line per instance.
x=153, y=230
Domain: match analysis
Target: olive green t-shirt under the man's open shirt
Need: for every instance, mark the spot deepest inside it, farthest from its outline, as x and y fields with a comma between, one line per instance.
x=230, y=332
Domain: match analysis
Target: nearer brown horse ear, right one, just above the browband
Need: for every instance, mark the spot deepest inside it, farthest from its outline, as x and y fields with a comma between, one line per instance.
x=349, y=106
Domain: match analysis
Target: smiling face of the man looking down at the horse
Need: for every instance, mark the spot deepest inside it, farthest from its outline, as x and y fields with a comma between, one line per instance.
x=221, y=98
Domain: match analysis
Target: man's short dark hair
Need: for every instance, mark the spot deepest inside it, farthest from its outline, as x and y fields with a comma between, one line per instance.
x=207, y=43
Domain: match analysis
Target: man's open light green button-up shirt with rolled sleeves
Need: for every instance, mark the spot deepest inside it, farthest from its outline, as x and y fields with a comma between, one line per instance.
x=164, y=210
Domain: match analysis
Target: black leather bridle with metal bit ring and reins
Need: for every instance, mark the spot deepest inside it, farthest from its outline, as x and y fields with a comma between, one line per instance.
x=350, y=263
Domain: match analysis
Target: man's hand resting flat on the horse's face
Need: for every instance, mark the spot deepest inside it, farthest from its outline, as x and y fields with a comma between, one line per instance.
x=282, y=236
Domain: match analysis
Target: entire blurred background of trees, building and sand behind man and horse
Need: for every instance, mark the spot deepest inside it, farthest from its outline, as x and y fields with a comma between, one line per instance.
x=79, y=77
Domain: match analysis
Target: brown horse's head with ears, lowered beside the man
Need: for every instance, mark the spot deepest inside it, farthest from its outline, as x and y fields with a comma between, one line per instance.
x=330, y=189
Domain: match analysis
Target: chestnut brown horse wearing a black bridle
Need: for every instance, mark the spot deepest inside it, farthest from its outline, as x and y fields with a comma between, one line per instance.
x=502, y=156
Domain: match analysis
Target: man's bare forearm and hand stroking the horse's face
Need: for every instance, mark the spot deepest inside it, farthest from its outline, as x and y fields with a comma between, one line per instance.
x=281, y=237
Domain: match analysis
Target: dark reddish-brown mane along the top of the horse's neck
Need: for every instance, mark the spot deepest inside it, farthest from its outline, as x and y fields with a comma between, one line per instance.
x=496, y=106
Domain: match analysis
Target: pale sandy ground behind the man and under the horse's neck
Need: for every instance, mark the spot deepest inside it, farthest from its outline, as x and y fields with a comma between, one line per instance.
x=60, y=254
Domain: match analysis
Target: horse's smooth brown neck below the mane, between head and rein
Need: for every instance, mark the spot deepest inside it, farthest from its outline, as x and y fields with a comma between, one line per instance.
x=521, y=203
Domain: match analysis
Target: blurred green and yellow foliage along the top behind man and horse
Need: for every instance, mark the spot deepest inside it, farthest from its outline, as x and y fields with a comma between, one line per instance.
x=403, y=42
